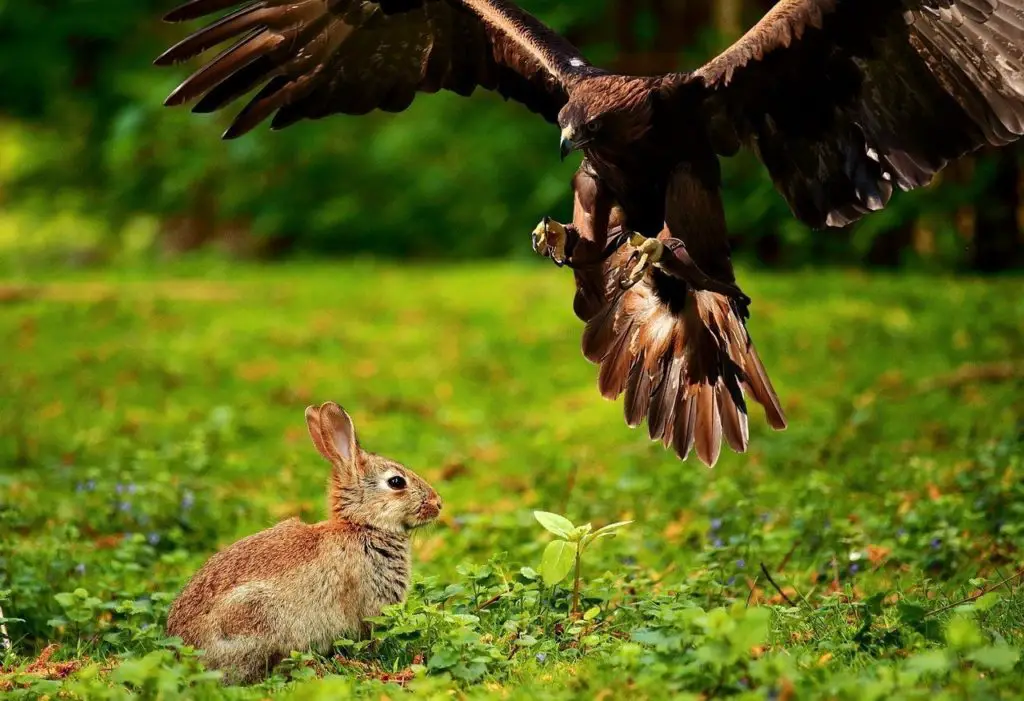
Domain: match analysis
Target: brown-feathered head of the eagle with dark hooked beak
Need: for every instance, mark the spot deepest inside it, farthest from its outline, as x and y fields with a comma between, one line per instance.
x=606, y=113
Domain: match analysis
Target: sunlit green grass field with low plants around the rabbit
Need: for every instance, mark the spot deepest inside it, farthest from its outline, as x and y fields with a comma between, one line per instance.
x=149, y=418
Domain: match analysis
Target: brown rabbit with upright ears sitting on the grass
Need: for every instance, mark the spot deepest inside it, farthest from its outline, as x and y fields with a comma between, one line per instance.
x=302, y=587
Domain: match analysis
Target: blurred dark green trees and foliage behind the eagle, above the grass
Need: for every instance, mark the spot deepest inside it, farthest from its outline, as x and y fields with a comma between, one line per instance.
x=92, y=163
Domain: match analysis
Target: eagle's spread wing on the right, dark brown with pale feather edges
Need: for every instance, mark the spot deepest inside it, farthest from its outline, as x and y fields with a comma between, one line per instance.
x=842, y=100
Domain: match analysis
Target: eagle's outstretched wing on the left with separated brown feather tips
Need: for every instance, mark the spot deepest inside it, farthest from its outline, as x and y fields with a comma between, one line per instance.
x=320, y=58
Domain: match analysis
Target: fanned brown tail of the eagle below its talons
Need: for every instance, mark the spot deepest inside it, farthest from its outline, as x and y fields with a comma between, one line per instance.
x=685, y=361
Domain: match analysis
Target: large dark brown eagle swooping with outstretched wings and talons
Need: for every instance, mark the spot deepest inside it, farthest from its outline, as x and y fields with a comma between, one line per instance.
x=841, y=101
